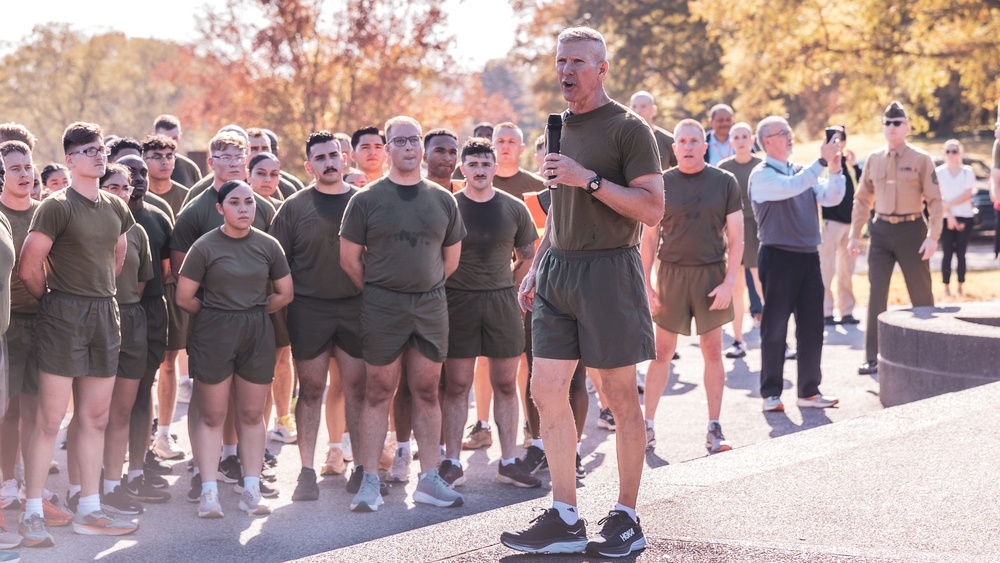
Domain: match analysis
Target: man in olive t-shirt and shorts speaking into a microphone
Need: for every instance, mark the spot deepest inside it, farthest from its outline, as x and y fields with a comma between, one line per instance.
x=608, y=182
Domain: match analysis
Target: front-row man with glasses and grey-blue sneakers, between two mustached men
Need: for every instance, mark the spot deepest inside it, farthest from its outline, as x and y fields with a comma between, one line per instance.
x=410, y=231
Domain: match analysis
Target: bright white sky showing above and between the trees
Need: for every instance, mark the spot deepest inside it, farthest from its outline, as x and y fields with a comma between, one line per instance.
x=483, y=29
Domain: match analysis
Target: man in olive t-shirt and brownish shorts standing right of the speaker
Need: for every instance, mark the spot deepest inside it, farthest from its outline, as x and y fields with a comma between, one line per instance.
x=697, y=270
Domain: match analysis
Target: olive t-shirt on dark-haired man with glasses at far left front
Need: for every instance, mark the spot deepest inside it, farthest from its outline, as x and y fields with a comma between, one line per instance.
x=84, y=234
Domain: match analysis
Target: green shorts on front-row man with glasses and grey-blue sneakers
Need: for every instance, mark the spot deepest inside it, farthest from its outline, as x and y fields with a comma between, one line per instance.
x=392, y=321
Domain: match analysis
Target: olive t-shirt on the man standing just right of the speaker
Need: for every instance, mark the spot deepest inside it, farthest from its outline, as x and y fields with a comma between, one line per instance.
x=692, y=232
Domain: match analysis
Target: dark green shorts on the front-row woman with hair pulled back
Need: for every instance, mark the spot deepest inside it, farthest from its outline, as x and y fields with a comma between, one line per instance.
x=226, y=342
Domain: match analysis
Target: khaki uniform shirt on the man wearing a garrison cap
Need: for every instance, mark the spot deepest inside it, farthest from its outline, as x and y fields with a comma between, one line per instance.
x=898, y=182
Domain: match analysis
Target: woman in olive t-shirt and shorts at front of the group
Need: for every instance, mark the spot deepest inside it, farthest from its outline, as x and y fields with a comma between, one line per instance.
x=232, y=335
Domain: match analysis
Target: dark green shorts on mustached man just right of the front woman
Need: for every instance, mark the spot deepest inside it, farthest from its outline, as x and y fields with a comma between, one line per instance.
x=317, y=325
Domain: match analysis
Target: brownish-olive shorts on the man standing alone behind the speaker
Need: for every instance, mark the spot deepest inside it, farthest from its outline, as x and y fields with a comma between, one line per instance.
x=683, y=292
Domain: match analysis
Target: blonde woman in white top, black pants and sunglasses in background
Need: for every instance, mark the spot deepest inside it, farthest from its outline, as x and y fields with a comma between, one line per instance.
x=957, y=182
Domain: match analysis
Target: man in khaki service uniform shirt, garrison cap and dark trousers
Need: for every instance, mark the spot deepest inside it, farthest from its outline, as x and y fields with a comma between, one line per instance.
x=898, y=180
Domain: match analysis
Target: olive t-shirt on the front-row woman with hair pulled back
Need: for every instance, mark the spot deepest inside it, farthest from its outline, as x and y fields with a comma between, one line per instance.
x=233, y=272
